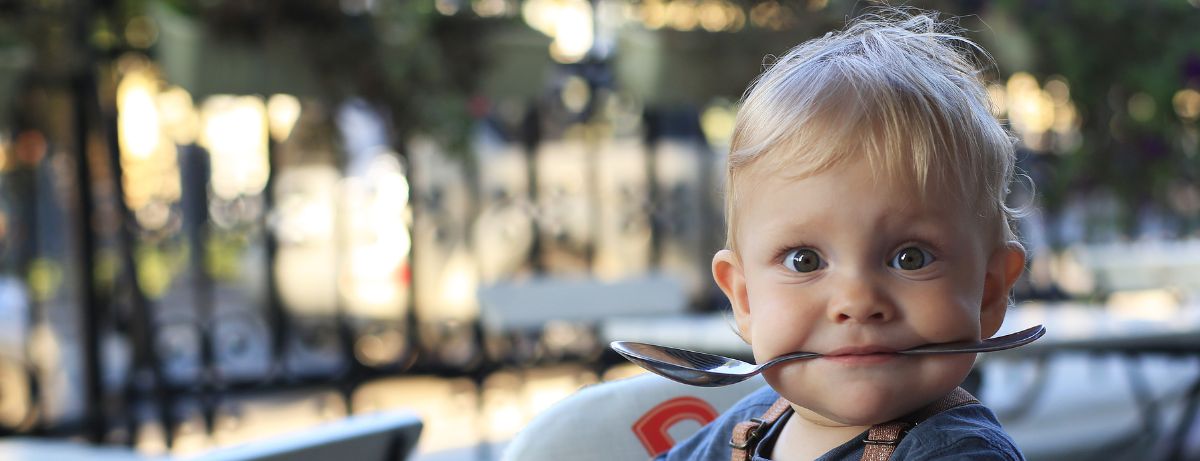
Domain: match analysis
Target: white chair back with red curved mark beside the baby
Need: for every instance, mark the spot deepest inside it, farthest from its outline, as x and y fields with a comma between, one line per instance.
x=626, y=420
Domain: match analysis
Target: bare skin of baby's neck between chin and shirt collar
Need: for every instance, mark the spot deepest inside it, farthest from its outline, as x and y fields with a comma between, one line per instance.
x=808, y=436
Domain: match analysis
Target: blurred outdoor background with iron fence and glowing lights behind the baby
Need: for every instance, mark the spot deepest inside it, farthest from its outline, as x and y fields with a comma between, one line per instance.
x=225, y=220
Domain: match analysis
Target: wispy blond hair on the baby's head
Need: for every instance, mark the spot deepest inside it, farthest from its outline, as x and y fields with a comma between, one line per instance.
x=902, y=89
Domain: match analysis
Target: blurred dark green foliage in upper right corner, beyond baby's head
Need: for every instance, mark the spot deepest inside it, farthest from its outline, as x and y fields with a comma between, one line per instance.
x=1112, y=52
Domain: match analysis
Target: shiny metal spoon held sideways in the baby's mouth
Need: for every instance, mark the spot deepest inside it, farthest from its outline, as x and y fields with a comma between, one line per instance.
x=710, y=370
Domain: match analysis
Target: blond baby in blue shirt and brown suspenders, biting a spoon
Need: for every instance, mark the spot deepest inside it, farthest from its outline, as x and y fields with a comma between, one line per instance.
x=866, y=214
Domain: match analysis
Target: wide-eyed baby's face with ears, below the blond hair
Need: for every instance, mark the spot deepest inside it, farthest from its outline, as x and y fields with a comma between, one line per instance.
x=855, y=267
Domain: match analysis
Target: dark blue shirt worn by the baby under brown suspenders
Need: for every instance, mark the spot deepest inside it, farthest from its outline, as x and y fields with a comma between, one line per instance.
x=967, y=433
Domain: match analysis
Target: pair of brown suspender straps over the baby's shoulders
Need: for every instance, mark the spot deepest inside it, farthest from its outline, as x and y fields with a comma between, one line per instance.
x=881, y=440
